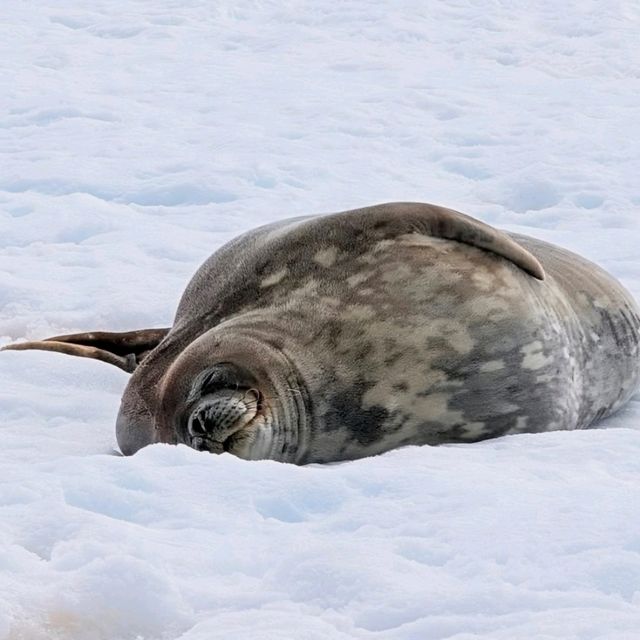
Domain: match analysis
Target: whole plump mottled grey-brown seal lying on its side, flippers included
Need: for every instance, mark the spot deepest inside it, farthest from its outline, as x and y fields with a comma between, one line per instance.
x=335, y=337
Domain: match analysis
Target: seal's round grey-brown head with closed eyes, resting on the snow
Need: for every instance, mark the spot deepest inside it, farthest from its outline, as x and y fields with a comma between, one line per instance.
x=229, y=391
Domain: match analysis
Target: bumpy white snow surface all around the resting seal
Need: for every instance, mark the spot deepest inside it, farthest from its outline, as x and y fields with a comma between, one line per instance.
x=135, y=139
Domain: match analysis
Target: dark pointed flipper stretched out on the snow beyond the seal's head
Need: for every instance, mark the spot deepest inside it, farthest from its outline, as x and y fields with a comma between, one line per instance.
x=125, y=350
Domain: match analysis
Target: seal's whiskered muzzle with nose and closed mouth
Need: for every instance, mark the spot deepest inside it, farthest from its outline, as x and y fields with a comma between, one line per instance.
x=223, y=420
